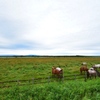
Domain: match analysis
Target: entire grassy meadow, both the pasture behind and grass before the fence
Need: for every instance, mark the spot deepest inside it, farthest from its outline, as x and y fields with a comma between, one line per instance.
x=40, y=67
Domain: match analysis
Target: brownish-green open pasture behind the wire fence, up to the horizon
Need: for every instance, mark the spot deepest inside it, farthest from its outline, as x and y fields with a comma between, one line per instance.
x=28, y=68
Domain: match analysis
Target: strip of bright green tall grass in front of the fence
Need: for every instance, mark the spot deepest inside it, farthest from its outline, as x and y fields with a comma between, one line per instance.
x=73, y=90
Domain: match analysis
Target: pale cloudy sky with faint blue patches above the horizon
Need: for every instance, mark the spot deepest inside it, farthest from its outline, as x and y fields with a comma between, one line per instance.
x=50, y=27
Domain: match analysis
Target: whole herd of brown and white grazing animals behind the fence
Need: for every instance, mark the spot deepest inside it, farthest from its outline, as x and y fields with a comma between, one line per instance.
x=90, y=72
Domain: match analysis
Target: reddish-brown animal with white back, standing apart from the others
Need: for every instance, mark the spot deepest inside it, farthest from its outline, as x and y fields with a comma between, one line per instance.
x=57, y=71
